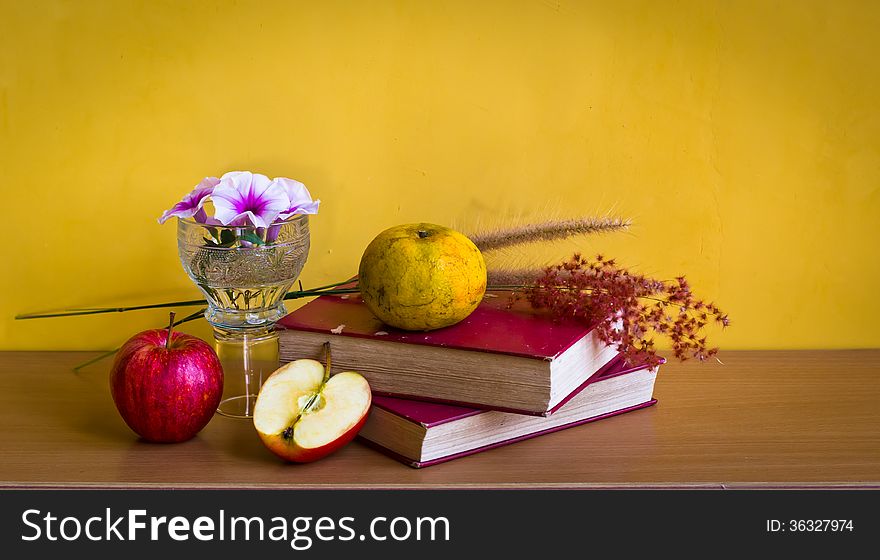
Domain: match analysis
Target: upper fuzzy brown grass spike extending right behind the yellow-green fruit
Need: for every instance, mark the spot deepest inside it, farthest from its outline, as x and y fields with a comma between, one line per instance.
x=545, y=231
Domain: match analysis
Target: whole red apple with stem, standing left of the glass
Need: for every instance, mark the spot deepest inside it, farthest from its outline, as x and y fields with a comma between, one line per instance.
x=166, y=385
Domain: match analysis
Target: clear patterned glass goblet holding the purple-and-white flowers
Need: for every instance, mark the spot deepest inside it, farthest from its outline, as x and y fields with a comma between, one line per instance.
x=244, y=273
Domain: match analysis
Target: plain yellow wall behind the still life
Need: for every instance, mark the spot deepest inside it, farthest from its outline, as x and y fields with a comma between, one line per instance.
x=742, y=138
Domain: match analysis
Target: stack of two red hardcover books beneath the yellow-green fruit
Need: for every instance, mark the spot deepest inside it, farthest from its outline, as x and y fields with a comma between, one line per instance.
x=504, y=374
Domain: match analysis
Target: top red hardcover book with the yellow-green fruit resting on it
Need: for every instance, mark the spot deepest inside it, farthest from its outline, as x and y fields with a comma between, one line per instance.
x=500, y=357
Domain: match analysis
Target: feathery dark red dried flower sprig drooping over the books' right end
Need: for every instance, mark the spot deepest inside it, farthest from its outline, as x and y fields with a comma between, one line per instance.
x=631, y=308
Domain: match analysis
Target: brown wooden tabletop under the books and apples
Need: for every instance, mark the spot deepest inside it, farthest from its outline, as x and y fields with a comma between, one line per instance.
x=781, y=418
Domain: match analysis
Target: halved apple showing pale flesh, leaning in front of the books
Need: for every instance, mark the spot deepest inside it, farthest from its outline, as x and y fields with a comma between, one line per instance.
x=301, y=417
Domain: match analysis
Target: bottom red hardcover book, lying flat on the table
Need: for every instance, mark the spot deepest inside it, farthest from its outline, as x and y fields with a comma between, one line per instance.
x=421, y=434
